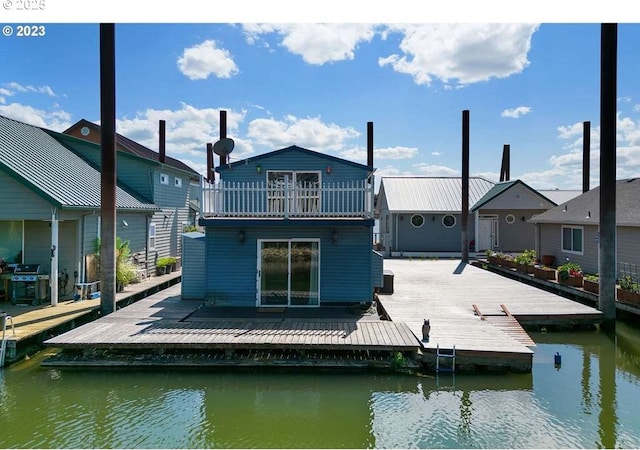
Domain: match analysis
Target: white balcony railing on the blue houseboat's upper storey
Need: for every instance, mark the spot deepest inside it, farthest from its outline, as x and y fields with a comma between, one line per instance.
x=300, y=200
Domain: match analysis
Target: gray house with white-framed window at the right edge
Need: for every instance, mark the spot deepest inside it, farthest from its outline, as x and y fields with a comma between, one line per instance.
x=569, y=231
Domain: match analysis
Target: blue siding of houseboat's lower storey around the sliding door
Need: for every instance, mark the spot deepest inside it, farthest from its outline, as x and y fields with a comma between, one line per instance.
x=345, y=267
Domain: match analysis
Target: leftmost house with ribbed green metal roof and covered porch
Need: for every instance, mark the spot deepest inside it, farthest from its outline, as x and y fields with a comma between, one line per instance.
x=51, y=198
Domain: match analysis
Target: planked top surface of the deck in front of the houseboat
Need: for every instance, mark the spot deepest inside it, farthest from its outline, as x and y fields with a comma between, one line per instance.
x=162, y=321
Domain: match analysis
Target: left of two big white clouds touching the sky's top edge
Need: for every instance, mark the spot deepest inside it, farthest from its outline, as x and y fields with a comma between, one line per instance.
x=317, y=43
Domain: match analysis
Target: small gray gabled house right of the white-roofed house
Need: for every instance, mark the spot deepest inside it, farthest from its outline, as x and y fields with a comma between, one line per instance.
x=502, y=215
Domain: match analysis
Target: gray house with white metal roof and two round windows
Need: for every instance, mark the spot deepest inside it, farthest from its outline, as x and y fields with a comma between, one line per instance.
x=422, y=215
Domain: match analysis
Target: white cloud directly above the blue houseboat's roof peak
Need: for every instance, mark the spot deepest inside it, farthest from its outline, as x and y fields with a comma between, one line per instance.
x=309, y=133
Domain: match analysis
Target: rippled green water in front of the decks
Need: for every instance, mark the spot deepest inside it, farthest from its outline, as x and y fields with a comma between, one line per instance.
x=591, y=401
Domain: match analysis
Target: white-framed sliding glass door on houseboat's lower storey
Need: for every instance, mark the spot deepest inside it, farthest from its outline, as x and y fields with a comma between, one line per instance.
x=289, y=272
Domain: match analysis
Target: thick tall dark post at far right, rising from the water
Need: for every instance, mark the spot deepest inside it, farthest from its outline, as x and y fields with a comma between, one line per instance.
x=607, y=238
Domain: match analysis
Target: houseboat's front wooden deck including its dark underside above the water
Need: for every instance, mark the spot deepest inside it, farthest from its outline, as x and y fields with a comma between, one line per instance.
x=164, y=323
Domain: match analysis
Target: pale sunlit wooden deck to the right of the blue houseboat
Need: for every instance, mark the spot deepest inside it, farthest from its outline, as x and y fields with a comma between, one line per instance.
x=445, y=292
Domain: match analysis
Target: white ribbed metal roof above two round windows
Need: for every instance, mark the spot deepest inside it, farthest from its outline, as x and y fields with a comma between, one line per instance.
x=430, y=194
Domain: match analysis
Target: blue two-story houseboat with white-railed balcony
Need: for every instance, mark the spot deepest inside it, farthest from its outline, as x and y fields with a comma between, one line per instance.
x=289, y=228
